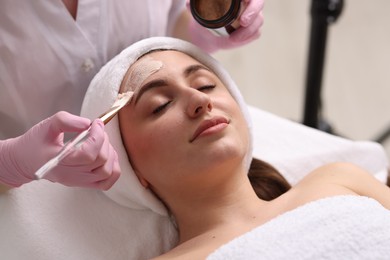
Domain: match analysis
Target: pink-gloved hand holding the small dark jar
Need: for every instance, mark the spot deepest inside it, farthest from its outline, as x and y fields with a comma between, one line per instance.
x=250, y=20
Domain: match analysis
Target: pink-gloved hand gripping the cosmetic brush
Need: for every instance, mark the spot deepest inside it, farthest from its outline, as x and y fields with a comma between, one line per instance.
x=94, y=165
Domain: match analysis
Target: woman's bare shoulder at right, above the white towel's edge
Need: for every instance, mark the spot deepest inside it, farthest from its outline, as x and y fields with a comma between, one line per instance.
x=345, y=178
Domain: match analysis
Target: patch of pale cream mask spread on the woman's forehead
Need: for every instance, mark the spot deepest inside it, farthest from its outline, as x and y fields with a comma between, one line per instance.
x=144, y=67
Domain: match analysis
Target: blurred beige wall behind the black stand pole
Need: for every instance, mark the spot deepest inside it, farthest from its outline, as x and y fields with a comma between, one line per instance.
x=356, y=85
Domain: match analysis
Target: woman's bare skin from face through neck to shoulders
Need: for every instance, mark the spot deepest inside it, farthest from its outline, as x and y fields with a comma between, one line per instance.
x=186, y=139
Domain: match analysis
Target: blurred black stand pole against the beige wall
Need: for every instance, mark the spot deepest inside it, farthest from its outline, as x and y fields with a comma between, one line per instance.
x=323, y=13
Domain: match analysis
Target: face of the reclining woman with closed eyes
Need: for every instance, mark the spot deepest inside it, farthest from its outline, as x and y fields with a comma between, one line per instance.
x=182, y=124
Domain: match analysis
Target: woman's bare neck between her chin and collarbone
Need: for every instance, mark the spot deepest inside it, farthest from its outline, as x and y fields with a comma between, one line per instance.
x=233, y=203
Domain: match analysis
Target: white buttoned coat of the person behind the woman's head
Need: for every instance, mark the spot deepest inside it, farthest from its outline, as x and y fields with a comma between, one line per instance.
x=47, y=58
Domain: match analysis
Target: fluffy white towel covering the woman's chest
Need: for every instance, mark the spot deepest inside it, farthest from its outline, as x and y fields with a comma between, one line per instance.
x=341, y=227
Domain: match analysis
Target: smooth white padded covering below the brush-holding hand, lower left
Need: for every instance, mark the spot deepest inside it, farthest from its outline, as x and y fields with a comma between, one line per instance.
x=46, y=221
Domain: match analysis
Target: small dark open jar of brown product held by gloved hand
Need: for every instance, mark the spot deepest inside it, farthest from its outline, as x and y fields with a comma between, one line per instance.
x=218, y=15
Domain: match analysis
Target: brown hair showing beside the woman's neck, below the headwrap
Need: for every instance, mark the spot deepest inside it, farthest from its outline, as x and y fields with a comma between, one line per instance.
x=267, y=182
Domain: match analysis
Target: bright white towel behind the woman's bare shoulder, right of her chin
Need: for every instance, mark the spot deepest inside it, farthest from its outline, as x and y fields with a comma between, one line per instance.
x=296, y=150
